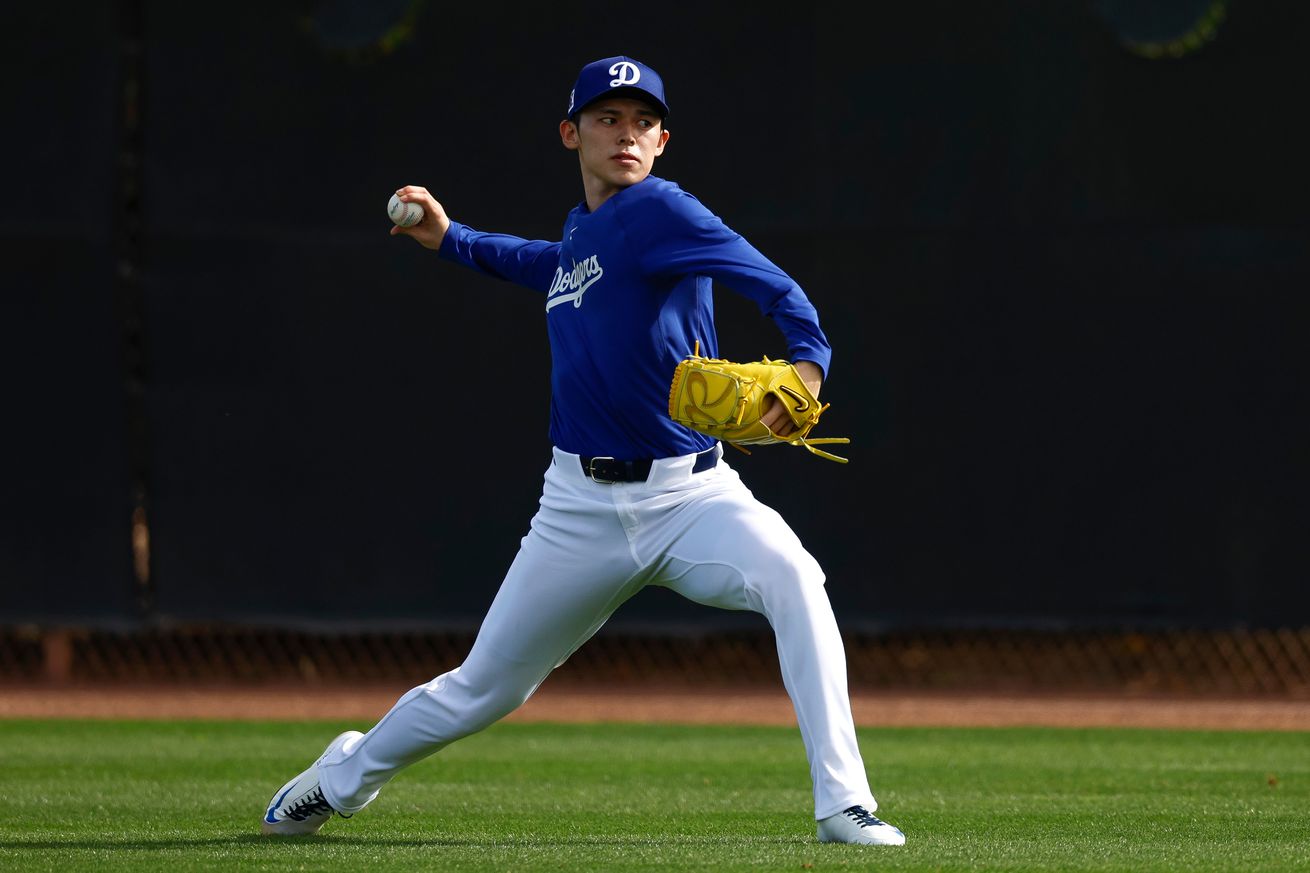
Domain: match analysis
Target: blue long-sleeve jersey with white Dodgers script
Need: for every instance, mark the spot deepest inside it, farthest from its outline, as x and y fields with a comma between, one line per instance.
x=629, y=293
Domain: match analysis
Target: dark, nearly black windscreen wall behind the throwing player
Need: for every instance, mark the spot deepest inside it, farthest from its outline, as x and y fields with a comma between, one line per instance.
x=1064, y=285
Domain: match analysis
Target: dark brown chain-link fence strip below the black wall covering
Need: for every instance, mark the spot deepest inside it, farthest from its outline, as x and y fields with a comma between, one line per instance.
x=1205, y=663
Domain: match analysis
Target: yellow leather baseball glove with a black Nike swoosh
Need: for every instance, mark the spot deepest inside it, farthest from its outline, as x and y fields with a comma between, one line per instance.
x=725, y=400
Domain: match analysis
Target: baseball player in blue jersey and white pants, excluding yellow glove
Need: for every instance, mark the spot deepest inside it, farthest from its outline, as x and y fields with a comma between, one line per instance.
x=631, y=497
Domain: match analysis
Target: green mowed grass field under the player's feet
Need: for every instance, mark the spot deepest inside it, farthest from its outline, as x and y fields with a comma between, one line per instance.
x=138, y=796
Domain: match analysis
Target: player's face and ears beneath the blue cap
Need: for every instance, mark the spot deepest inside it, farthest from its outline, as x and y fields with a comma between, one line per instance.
x=618, y=141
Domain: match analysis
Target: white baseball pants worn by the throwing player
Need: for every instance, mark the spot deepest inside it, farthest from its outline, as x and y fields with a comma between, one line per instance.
x=590, y=549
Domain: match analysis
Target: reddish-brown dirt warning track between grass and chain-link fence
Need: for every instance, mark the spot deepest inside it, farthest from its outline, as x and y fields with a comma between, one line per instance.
x=654, y=705
